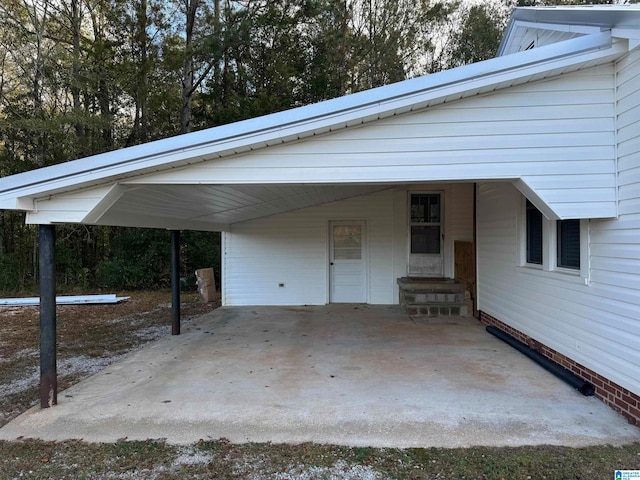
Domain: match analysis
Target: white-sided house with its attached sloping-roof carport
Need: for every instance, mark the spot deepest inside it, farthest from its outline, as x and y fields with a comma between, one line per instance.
x=532, y=157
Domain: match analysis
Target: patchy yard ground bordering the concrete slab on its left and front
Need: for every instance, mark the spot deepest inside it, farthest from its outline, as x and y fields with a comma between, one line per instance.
x=91, y=336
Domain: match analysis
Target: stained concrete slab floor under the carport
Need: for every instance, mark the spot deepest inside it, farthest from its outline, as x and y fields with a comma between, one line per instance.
x=343, y=374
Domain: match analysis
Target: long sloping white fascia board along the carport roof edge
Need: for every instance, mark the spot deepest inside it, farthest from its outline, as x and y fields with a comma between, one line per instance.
x=305, y=121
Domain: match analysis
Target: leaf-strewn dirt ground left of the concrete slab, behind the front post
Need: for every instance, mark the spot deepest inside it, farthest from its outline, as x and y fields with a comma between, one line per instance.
x=90, y=337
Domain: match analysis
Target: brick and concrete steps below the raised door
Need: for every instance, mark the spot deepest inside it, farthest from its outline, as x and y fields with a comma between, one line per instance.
x=433, y=297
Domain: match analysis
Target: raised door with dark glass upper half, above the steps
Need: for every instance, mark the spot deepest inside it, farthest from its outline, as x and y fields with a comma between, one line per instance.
x=425, y=235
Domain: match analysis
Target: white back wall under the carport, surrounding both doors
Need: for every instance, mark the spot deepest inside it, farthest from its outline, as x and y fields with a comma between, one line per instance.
x=293, y=248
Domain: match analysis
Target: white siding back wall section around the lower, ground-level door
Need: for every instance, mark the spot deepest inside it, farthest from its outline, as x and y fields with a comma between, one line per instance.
x=292, y=248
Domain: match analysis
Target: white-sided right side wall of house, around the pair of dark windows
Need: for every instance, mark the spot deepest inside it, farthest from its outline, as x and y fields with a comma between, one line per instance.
x=596, y=325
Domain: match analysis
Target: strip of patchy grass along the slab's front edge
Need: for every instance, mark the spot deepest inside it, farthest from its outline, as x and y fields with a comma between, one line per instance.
x=222, y=460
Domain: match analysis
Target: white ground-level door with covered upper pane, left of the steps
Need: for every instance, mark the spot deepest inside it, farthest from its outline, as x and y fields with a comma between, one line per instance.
x=348, y=262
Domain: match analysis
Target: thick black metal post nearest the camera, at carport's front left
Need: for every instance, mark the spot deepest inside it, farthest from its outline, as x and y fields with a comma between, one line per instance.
x=47, y=264
